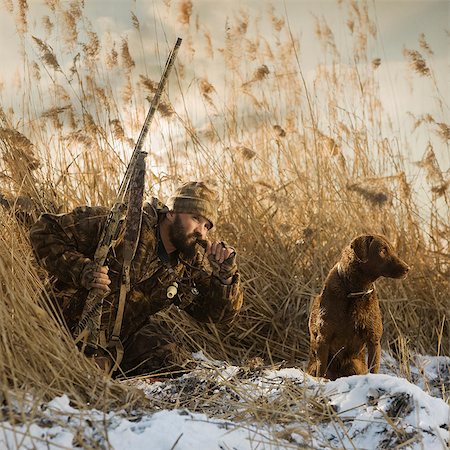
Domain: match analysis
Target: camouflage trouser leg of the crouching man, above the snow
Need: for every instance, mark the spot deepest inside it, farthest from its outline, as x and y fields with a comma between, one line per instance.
x=153, y=350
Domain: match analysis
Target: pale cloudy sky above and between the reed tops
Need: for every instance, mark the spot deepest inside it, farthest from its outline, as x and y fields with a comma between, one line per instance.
x=399, y=24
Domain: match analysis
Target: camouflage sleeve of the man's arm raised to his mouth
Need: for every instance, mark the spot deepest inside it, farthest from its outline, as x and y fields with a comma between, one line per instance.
x=216, y=302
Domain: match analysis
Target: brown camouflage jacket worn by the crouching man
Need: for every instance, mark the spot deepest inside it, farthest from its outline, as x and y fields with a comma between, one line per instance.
x=64, y=243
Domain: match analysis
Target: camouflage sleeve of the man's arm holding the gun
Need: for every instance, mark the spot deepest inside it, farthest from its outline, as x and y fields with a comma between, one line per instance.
x=65, y=243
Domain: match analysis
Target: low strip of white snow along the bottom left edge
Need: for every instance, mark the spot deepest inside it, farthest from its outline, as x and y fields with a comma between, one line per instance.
x=163, y=430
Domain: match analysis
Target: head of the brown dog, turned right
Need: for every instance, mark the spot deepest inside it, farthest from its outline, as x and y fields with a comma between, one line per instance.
x=377, y=256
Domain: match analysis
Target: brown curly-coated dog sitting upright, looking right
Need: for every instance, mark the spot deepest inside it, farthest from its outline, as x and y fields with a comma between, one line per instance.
x=345, y=319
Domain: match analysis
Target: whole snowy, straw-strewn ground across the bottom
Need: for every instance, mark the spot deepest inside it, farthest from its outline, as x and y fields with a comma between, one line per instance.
x=223, y=407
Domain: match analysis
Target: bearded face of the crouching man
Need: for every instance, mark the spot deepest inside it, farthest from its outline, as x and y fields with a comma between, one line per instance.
x=185, y=230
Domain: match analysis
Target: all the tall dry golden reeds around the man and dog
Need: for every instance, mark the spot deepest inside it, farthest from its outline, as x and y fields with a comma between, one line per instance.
x=299, y=175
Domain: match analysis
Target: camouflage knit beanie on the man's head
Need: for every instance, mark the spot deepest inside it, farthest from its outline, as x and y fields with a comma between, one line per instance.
x=195, y=197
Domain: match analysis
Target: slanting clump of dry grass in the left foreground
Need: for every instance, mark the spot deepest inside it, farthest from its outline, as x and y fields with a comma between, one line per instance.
x=38, y=355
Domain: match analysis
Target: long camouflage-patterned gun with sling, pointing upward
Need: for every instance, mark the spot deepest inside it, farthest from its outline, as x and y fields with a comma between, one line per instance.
x=88, y=329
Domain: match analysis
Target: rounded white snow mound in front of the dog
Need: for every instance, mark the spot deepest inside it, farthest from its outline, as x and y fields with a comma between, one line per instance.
x=377, y=410
